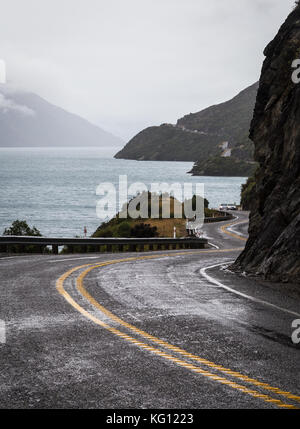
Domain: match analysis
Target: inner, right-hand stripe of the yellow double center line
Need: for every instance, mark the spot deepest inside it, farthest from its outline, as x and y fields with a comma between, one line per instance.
x=176, y=349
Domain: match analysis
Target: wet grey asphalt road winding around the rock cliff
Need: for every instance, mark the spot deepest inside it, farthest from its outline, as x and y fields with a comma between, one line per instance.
x=63, y=350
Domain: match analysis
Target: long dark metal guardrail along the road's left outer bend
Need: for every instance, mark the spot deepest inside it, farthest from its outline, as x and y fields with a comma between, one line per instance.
x=96, y=244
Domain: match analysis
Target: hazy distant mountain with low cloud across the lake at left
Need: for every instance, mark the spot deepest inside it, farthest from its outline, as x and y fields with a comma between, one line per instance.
x=28, y=120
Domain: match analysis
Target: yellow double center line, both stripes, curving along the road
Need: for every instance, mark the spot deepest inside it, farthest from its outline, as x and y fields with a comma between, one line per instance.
x=183, y=353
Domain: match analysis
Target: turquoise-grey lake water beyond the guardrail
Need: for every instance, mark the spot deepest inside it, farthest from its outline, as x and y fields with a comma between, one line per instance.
x=55, y=189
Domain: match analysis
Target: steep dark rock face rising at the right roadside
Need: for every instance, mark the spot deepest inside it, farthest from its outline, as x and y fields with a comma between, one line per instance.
x=273, y=248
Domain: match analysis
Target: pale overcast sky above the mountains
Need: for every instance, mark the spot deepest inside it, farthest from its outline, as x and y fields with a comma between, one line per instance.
x=128, y=64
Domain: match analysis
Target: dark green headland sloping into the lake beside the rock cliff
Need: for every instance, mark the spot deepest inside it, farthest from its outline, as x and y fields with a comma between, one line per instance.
x=218, y=131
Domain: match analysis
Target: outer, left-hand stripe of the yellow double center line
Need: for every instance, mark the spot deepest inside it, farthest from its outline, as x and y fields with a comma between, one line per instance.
x=222, y=380
